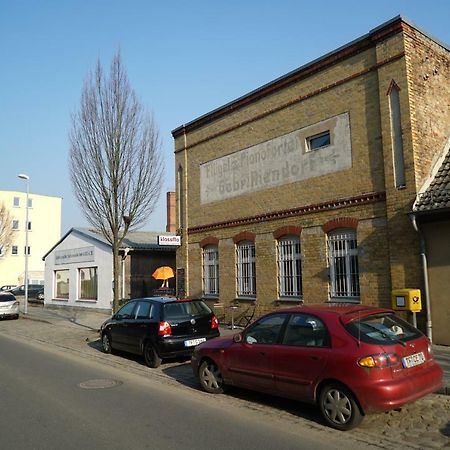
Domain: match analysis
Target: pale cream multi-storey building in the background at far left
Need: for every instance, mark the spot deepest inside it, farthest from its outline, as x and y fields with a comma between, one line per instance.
x=44, y=229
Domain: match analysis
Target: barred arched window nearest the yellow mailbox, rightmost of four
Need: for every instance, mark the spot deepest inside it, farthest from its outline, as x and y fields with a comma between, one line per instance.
x=343, y=261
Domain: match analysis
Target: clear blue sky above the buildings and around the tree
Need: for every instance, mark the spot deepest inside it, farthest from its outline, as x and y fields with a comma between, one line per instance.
x=183, y=58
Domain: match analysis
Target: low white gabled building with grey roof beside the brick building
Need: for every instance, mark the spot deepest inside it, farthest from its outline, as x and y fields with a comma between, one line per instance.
x=79, y=268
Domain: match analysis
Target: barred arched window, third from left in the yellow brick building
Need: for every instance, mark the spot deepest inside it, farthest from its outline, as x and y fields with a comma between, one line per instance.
x=289, y=267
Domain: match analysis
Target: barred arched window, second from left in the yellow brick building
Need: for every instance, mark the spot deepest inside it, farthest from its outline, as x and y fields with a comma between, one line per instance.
x=246, y=269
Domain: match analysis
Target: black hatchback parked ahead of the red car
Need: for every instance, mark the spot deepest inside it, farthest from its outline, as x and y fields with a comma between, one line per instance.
x=159, y=327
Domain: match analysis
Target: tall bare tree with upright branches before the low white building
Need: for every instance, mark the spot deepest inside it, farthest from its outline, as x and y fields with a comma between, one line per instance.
x=115, y=159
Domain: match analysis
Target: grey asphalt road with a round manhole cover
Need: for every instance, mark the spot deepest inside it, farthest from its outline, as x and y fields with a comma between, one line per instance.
x=51, y=400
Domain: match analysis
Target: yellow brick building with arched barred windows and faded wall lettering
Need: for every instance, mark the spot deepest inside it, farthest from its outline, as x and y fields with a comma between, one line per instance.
x=300, y=190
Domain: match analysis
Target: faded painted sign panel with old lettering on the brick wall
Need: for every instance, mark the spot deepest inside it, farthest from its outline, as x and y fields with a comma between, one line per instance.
x=285, y=159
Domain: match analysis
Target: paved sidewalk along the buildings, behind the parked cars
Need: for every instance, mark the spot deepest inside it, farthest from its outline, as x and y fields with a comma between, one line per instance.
x=92, y=320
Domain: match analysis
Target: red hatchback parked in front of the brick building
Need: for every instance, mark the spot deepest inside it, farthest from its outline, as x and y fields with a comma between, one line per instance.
x=350, y=360
